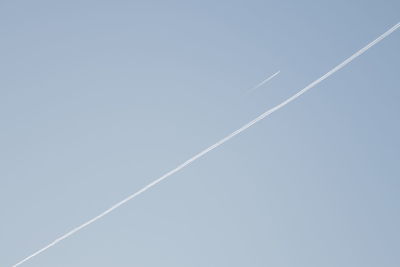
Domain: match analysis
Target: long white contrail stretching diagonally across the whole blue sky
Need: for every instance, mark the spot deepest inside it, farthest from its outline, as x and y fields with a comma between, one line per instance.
x=227, y=138
